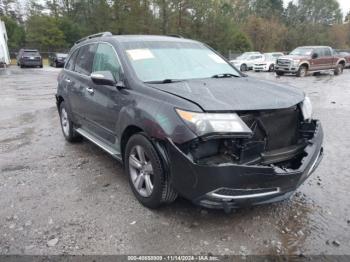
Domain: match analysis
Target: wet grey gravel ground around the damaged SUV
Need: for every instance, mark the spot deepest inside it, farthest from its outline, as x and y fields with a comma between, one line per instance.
x=59, y=198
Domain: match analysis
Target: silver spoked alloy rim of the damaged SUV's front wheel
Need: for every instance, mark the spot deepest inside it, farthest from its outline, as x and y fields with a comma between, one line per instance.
x=141, y=171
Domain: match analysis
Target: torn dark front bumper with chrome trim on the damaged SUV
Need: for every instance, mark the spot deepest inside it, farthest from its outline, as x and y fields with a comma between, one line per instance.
x=233, y=186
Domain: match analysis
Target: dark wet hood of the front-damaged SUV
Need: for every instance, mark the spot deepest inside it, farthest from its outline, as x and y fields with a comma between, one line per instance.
x=234, y=94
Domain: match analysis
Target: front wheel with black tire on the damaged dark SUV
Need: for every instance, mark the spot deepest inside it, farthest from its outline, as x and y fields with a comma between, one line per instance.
x=148, y=178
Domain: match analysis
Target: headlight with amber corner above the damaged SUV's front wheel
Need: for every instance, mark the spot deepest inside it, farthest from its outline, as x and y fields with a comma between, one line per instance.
x=208, y=123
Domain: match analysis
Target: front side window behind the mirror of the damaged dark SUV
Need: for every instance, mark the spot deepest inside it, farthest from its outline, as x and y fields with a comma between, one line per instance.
x=106, y=60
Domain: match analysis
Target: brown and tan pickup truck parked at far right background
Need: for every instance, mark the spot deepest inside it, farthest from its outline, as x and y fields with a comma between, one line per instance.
x=310, y=59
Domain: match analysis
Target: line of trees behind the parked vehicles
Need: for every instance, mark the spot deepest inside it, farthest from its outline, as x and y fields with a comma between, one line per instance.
x=236, y=25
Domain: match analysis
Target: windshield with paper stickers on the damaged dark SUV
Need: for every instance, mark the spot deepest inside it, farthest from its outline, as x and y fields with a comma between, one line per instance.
x=157, y=61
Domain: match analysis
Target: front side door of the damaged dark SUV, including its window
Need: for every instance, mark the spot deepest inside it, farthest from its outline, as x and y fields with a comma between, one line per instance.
x=105, y=101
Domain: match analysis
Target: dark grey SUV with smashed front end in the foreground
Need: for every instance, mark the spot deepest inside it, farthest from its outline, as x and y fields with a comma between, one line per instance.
x=184, y=121
